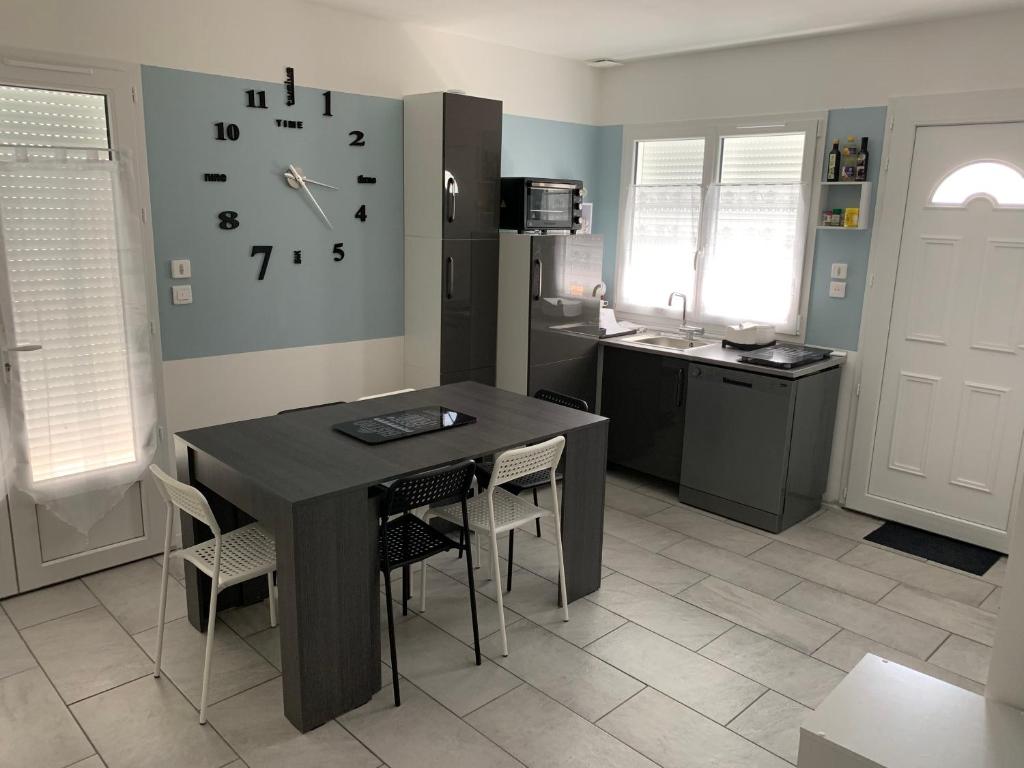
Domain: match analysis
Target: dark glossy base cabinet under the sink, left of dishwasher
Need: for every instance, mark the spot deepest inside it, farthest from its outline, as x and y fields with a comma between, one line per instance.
x=645, y=397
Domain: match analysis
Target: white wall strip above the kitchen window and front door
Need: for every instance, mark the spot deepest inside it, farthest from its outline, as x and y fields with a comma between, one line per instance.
x=858, y=69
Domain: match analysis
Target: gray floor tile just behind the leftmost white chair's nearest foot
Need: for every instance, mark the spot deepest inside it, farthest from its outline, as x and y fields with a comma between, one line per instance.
x=235, y=667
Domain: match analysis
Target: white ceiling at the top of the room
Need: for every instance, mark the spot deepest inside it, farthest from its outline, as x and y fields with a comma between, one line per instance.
x=633, y=29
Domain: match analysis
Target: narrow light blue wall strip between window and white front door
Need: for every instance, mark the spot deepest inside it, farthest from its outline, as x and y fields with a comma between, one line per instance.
x=836, y=323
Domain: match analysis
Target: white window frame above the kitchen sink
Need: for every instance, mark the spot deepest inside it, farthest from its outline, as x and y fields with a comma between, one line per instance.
x=713, y=132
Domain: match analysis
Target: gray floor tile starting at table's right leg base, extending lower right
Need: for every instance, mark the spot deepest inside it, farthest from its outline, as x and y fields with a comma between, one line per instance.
x=668, y=616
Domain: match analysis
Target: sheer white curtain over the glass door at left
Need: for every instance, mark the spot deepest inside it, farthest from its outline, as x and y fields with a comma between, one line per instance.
x=81, y=411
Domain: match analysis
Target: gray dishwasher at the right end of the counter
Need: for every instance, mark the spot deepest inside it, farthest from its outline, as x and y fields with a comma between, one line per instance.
x=757, y=447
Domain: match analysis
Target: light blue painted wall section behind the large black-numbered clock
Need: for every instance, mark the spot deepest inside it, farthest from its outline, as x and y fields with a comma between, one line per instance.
x=319, y=302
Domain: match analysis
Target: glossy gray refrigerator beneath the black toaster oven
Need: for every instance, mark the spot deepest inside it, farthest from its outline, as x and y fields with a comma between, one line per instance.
x=549, y=288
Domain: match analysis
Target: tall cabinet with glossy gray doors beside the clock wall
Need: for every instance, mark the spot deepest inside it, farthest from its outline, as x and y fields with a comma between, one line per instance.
x=453, y=146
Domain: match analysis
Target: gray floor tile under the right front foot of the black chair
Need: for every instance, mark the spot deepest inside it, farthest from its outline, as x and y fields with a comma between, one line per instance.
x=446, y=669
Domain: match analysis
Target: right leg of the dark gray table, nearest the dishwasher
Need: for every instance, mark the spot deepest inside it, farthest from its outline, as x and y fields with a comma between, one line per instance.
x=583, y=508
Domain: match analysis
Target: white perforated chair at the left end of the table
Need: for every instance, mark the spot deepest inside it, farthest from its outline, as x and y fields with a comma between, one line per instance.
x=228, y=559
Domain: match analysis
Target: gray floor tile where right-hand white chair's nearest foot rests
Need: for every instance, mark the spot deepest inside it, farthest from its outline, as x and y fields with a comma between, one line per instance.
x=571, y=676
